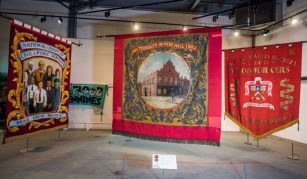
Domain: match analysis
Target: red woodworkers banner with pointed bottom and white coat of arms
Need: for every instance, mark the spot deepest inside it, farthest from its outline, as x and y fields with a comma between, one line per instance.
x=262, y=87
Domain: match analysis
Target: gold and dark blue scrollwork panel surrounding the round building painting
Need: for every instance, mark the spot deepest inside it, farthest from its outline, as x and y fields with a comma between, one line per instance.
x=192, y=111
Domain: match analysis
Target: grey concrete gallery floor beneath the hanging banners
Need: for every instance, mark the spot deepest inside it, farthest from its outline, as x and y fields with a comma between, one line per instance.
x=99, y=154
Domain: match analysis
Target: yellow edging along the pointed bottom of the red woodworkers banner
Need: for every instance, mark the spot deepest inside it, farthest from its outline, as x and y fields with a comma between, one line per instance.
x=265, y=134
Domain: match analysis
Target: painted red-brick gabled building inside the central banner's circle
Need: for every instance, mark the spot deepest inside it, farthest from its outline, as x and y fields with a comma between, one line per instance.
x=164, y=82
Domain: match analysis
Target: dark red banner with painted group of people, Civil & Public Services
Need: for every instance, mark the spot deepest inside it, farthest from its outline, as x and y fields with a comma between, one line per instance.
x=38, y=82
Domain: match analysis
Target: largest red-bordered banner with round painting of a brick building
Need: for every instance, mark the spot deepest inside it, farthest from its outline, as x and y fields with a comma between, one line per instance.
x=163, y=83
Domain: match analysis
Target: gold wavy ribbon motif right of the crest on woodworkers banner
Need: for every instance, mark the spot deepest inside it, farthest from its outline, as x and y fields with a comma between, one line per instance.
x=285, y=94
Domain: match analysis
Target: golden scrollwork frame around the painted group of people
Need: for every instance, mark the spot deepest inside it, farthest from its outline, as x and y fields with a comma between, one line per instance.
x=14, y=94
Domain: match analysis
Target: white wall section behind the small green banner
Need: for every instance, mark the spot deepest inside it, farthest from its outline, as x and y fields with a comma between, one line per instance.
x=93, y=63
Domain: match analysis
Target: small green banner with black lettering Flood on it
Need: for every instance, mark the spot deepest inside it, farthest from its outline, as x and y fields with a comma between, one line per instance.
x=88, y=94
